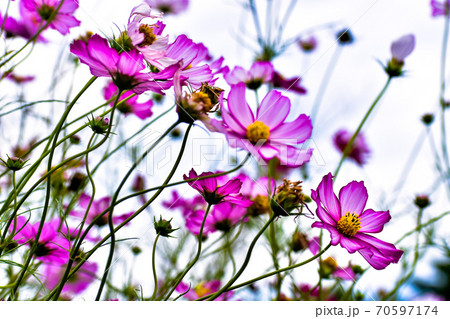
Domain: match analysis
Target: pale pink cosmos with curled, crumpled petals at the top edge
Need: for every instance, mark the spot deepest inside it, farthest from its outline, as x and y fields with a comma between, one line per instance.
x=147, y=38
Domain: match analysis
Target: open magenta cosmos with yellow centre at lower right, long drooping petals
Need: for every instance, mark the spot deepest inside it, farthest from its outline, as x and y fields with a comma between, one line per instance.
x=349, y=224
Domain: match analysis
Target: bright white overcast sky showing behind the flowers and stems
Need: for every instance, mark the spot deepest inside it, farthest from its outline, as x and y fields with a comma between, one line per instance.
x=391, y=131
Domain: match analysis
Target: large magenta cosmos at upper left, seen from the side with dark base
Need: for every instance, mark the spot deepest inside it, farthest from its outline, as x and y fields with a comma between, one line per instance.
x=125, y=68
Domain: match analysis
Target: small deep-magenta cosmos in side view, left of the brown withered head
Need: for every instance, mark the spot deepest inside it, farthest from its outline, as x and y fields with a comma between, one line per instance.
x=218, y=189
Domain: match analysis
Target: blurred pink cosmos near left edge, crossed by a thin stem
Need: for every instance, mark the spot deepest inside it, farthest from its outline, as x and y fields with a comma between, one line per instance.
x=52, y=246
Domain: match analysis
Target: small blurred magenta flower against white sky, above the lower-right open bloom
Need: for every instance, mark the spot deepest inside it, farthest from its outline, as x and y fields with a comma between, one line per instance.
x=359, y=151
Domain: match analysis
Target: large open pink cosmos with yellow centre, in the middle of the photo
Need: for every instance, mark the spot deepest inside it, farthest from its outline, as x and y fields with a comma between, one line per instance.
x=266, y=135
